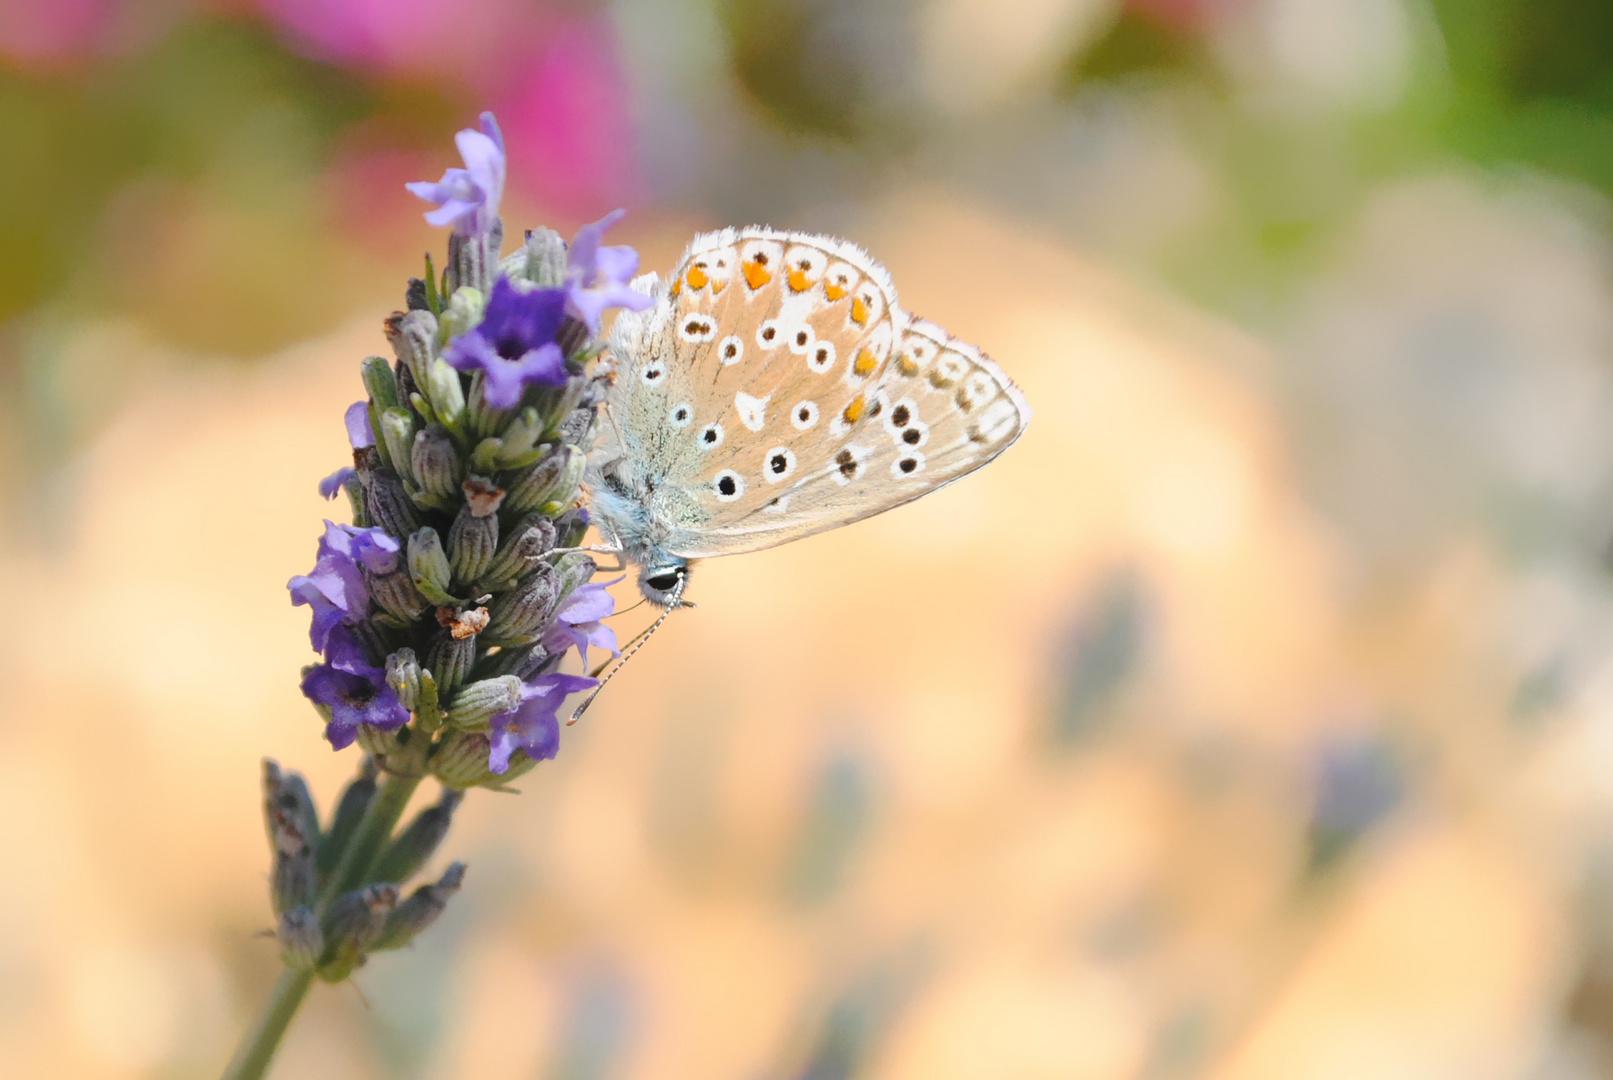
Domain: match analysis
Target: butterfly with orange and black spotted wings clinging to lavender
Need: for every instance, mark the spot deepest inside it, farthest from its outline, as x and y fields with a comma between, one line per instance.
x=775, y=391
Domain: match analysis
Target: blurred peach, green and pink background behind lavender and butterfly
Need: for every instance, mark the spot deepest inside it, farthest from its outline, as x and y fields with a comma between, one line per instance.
x=1252, y=718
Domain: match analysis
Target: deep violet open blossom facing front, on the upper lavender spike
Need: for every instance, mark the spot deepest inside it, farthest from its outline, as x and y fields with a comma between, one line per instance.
x=514, y=344
